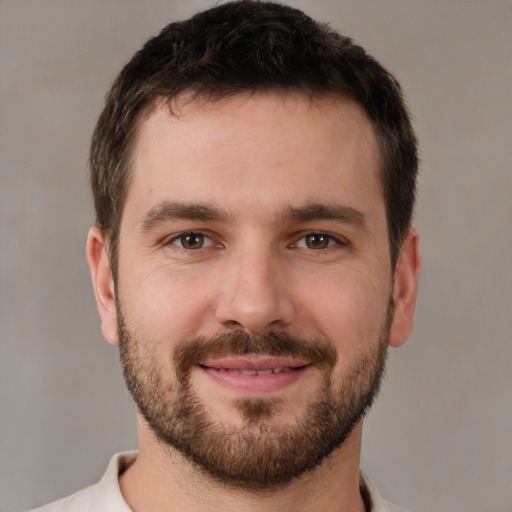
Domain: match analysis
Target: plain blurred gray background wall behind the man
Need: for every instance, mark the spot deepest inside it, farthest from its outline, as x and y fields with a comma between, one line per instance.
x=439, y=438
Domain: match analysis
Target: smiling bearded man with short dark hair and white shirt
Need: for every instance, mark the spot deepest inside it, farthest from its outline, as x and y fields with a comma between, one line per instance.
x=254, y=180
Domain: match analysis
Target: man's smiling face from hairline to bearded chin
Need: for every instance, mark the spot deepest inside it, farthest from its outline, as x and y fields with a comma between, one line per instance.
x=254, y=296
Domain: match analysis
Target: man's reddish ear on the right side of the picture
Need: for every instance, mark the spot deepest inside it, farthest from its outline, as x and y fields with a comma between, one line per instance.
x=407, y=273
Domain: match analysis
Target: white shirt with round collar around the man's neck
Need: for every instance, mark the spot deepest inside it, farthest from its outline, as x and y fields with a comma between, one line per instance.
x=105, y=496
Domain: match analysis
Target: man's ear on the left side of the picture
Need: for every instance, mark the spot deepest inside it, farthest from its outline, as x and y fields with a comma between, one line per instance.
x=103, y=283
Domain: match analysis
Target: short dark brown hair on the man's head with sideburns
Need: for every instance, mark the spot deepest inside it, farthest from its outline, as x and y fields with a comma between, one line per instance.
x=246, y=46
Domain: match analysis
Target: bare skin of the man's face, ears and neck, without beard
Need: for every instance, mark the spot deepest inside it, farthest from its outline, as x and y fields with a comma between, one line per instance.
x=254, y=157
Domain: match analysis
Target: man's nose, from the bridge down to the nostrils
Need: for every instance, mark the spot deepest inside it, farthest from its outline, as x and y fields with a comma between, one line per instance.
x=255, y=294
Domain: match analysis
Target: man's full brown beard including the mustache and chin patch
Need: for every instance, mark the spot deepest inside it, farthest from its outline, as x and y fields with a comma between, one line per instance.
x=256, y=454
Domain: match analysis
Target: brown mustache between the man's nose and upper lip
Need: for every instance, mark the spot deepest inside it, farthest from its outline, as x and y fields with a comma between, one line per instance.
x=239, y=343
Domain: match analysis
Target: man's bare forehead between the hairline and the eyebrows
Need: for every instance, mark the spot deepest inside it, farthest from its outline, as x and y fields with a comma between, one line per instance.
x=256, y=151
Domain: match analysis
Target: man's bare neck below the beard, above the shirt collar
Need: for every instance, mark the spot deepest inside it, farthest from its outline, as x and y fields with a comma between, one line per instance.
x=162, y=480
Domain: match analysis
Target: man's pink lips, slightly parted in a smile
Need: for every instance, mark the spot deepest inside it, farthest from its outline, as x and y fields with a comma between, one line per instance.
x=255, y=375
